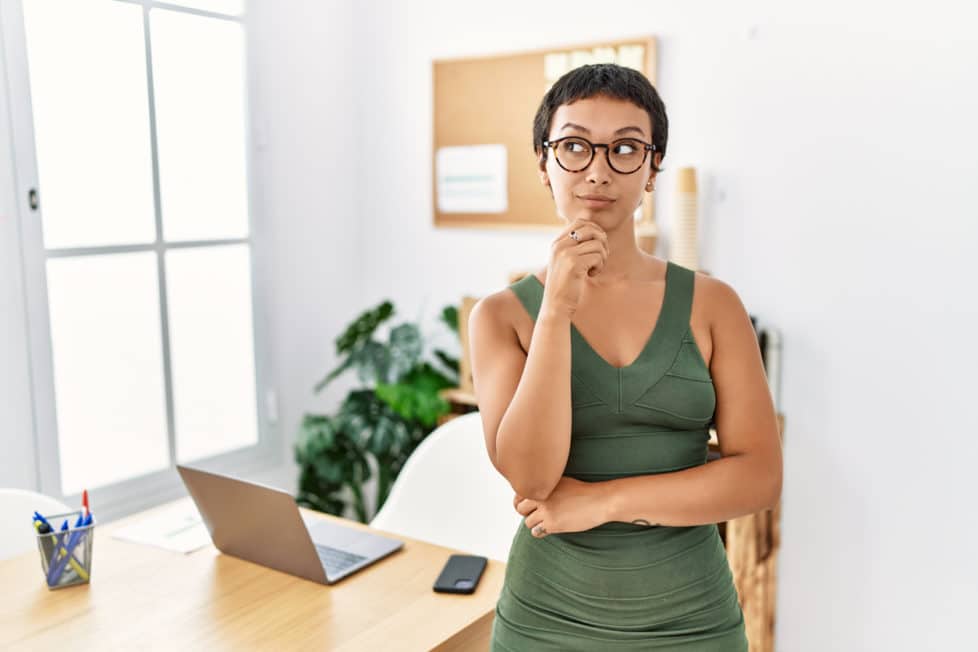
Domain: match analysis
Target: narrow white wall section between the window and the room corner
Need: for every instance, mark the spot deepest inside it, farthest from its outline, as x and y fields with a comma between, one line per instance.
x=303, y=95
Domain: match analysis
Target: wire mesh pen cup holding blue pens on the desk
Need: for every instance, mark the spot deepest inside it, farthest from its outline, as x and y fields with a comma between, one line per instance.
x=66, y=555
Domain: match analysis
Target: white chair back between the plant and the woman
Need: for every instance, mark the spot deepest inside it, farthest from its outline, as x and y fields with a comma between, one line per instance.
x=450, y=494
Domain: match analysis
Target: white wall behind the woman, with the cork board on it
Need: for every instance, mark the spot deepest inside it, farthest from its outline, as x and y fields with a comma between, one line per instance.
x=837, y=148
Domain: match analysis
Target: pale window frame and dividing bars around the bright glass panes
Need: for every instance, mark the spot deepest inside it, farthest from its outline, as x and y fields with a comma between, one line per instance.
x=130, y=495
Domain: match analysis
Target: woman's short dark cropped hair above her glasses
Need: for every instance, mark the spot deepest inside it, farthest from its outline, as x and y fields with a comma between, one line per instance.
x=610, y=80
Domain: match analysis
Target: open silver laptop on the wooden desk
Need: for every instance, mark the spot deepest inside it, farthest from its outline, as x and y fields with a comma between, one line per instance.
x=264, y=525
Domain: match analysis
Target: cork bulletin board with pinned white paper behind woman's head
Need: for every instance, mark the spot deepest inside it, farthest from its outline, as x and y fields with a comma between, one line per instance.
x=483, y=164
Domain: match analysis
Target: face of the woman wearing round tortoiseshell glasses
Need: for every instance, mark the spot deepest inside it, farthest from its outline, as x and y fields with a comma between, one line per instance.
x=599, y=119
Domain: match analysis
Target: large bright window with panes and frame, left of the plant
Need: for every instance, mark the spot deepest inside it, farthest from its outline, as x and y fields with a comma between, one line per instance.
x=131, y=126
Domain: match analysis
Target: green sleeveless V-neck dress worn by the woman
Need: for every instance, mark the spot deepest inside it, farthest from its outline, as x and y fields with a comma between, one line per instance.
x=621, y=586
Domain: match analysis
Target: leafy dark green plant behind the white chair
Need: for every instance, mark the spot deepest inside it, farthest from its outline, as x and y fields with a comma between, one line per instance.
x=396, y=407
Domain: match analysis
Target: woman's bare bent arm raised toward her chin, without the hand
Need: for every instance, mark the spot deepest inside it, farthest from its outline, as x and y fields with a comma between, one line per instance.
x=524, y=398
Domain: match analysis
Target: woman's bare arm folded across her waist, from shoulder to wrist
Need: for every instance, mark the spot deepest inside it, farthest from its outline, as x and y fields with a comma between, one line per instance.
x=747, y=478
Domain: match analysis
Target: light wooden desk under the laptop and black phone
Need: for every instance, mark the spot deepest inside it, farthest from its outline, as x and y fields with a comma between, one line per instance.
x=142, y=597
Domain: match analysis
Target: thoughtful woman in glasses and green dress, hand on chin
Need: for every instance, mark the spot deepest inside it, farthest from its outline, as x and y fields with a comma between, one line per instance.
x=598, y=378
